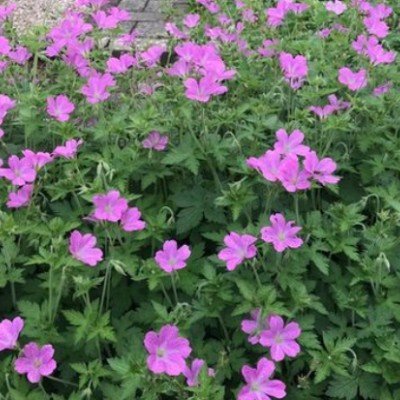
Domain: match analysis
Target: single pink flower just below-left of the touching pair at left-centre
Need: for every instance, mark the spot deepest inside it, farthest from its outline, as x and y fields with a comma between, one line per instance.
x=82, y=248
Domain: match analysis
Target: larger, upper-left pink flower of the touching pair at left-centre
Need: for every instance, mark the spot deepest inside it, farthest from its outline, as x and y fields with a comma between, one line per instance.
x=110, y=206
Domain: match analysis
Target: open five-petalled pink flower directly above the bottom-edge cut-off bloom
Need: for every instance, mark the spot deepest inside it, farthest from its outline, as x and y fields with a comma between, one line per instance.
x=280, y=338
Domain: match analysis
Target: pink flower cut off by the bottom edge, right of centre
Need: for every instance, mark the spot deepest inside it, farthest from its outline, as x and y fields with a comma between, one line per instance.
x=259, y=386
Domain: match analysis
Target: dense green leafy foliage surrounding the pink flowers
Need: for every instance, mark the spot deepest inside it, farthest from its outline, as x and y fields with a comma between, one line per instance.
x=342, y=286
